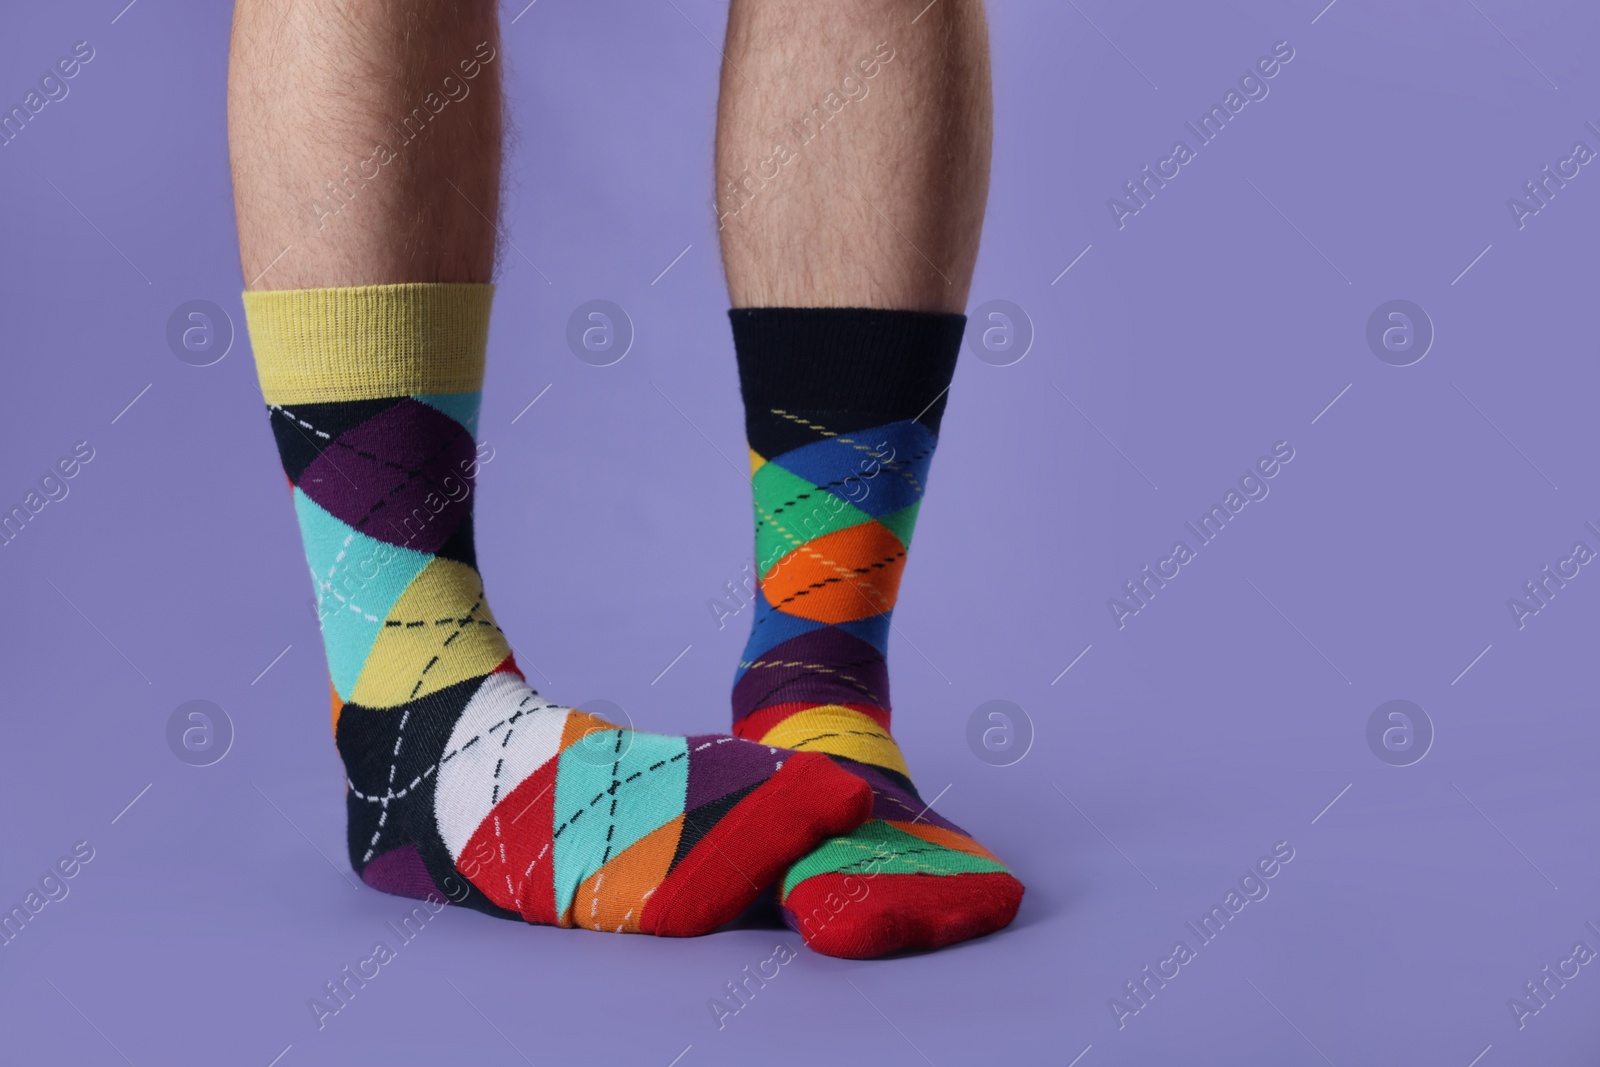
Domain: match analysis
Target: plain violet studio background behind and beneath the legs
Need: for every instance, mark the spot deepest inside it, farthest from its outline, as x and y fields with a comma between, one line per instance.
x=1188, y=743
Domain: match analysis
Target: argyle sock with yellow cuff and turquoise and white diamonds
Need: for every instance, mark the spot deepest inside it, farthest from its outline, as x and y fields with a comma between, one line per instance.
x=463, y=783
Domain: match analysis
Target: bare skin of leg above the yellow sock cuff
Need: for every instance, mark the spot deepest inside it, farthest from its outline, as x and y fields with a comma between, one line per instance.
x=366, y=140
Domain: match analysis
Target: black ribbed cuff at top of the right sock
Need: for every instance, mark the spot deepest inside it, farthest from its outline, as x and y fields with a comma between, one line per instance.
x=889, y=364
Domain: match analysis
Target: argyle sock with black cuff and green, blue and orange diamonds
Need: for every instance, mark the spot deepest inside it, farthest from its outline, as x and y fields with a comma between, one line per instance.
x=842, y=417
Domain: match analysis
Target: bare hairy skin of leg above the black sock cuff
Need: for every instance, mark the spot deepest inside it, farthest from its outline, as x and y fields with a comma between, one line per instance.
x=854, y=153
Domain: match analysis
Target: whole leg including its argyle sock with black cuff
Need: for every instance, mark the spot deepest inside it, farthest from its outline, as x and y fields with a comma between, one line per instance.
x=852, y=174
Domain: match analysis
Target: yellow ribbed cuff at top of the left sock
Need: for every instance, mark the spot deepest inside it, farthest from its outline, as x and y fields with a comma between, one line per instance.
x=369, y=342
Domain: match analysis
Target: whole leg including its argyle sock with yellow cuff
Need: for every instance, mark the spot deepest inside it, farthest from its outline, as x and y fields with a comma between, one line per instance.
x=370, y=337
